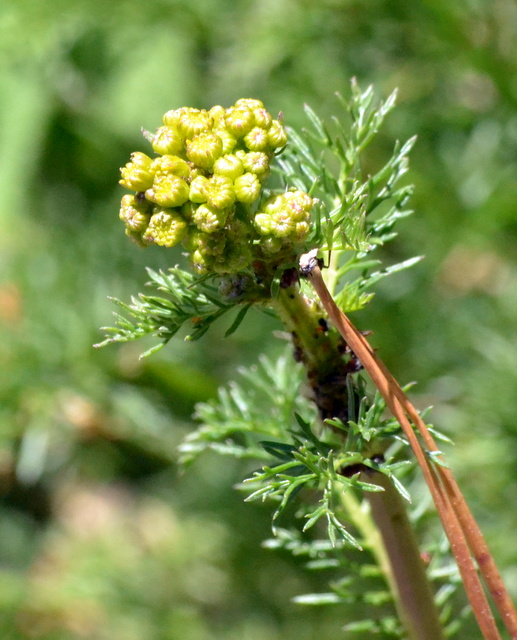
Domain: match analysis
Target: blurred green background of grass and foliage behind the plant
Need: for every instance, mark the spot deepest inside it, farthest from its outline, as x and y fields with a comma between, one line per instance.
x=100, y=536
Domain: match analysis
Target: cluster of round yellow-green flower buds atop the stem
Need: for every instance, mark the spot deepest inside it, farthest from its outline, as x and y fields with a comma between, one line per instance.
x=199, y=189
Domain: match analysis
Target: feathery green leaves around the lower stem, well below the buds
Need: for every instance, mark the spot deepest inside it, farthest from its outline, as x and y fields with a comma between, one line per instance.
x=264, y=417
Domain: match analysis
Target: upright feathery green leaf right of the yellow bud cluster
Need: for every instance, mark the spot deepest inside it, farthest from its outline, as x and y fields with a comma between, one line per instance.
x=358, y=211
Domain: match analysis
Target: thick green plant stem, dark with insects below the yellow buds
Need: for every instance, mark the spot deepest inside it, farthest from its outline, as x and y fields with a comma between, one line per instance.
x=398, y=555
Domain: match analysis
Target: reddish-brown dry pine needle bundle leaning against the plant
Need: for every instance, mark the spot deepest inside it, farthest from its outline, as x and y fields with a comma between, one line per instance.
x=458, y=522
